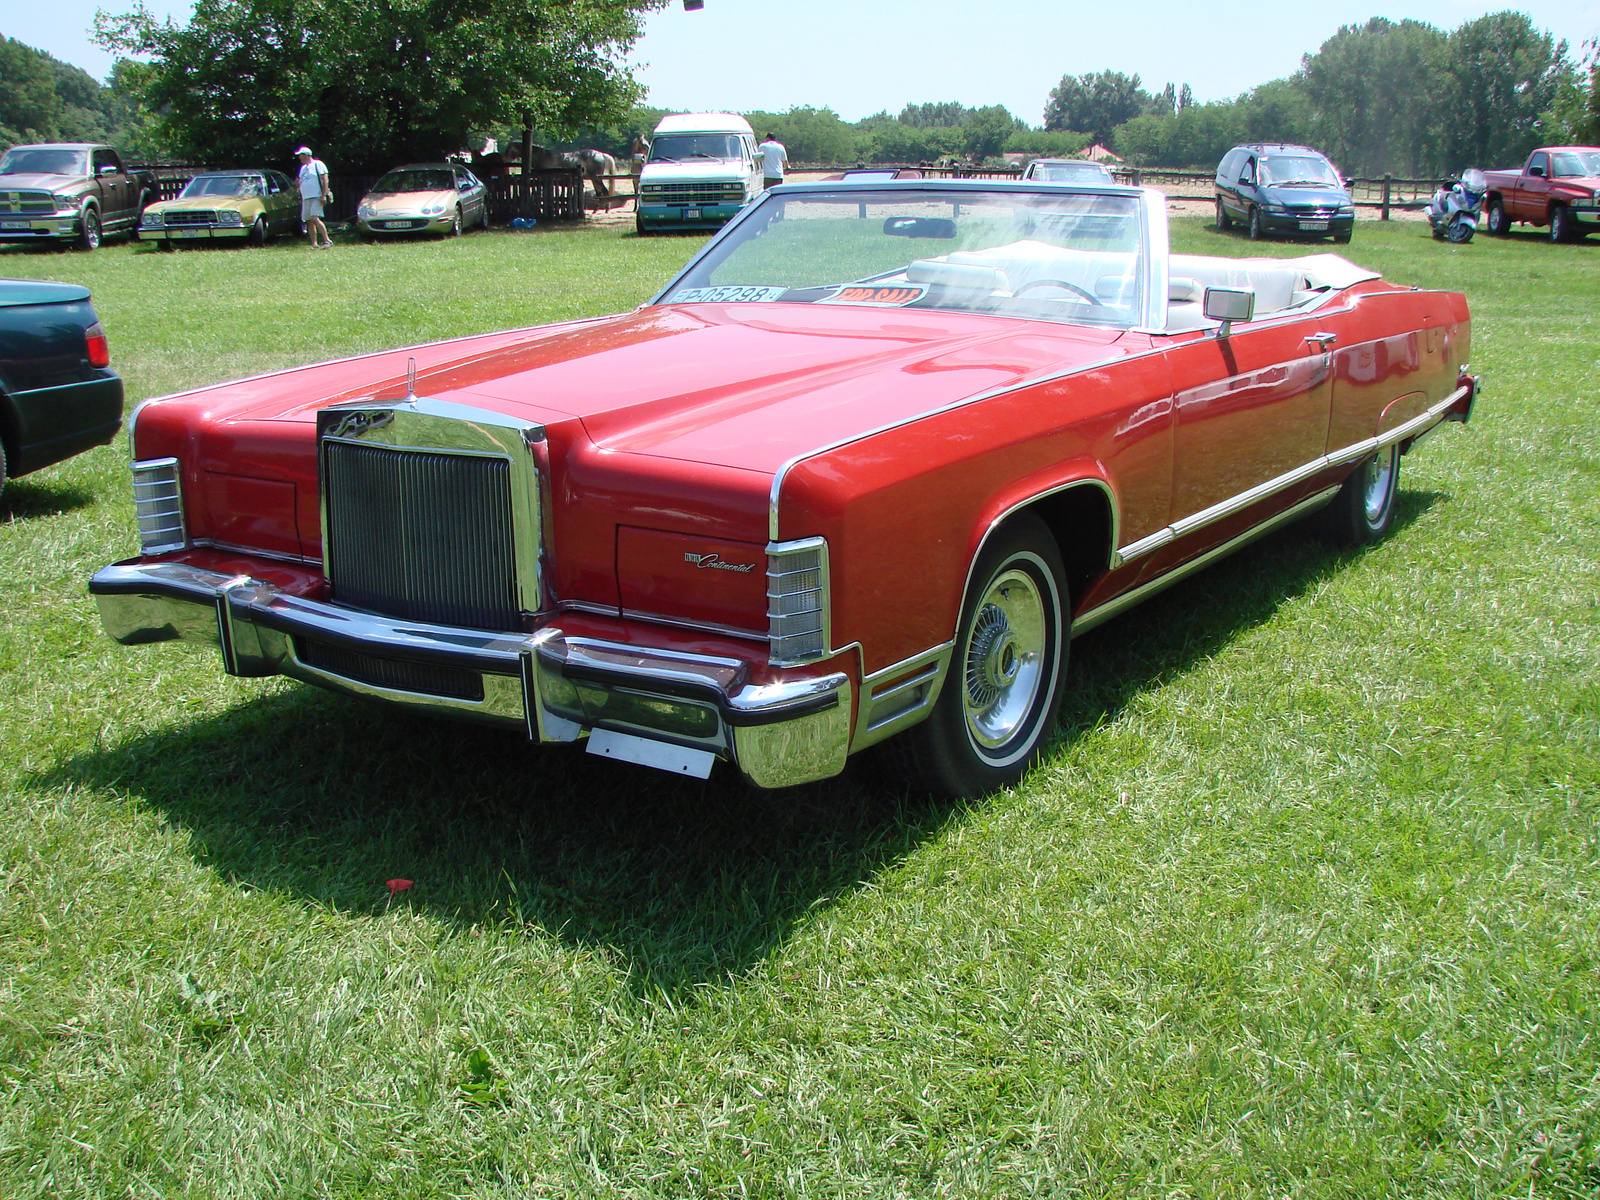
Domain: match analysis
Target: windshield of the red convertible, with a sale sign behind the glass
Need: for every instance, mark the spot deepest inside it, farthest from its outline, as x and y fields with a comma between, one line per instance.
x=1065, y=257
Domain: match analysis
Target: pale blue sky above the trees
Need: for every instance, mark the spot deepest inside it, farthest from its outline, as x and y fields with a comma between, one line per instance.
x=858, y=57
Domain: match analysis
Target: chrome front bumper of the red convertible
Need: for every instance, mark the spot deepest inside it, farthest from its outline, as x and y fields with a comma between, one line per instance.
x=554, y=687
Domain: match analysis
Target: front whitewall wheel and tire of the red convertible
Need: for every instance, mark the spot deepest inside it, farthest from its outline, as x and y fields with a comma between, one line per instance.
x=1006, y=679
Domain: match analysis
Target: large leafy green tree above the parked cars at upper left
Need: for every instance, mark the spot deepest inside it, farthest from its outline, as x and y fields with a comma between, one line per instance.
x=375, y=84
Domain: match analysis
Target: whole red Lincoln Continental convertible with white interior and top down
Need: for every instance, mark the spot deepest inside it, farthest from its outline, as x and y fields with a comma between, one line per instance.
x=876, y=457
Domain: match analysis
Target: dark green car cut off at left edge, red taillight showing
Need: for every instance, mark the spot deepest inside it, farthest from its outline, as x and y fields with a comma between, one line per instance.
x=58, y=394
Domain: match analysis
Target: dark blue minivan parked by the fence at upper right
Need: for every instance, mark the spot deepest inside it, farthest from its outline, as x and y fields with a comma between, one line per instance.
x=1282, y=190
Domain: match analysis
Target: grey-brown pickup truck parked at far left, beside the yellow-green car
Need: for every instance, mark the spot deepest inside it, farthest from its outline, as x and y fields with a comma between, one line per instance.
x=70, y=193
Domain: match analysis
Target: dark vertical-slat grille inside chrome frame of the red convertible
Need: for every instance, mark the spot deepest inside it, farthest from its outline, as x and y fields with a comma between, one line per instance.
x=422, y=535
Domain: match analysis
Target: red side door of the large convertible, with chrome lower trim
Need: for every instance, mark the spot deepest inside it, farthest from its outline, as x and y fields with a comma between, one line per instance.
x=1250, y=412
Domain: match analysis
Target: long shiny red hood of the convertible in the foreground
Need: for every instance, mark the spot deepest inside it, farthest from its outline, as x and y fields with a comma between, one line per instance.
x=745, y=386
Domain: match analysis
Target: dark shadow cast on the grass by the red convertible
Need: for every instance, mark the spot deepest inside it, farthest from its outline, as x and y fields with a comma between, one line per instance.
x=682, y=882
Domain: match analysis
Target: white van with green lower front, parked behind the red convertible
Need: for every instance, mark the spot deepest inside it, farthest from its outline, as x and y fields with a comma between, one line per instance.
x=703, y=167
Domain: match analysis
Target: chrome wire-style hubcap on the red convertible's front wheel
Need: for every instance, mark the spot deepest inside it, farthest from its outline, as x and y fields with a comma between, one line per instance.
x=1006, y=660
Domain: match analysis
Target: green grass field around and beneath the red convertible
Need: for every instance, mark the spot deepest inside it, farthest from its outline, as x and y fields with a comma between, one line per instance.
x=1303, y=902
